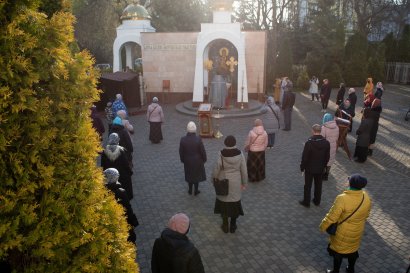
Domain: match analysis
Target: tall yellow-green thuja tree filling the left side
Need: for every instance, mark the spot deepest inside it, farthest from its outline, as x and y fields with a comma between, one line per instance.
x=55, y=215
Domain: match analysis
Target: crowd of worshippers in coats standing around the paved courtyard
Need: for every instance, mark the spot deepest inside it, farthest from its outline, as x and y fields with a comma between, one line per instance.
x=239, y=165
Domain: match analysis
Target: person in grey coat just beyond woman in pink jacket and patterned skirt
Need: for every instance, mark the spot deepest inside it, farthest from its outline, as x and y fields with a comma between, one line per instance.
x=271, y=119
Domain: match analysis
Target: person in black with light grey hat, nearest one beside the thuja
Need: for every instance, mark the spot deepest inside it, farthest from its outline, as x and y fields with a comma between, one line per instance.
x=111, y=182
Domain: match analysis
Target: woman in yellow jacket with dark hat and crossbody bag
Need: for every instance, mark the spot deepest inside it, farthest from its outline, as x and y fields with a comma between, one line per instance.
x=345, y=243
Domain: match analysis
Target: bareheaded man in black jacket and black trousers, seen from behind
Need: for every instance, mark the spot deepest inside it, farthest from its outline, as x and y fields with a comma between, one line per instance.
x=315, y=157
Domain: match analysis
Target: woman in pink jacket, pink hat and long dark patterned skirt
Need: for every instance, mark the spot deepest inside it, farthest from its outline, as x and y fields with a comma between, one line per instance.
x=255, y=145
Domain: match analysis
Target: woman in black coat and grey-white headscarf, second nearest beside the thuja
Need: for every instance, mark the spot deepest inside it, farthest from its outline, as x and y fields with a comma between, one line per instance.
x=114, y=156
